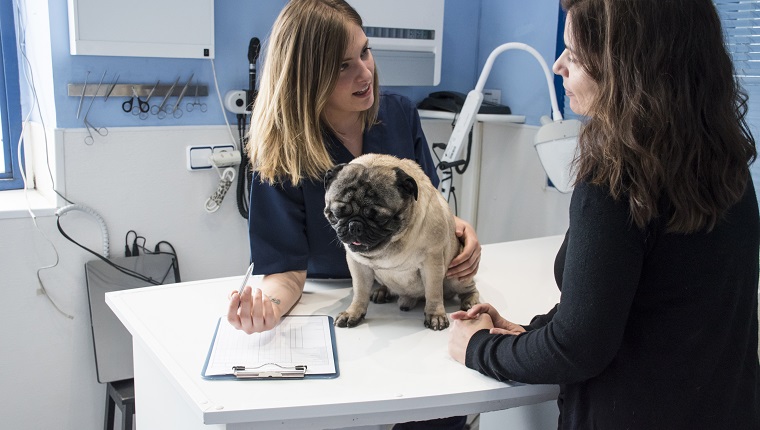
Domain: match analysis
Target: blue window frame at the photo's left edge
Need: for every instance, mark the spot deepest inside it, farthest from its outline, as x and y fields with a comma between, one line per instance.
x=10, y=100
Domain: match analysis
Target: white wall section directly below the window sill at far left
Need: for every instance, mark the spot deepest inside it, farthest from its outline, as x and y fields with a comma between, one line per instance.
x=48, y=368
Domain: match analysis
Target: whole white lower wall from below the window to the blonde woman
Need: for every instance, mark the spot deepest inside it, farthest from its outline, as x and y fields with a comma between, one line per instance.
x=48, y=367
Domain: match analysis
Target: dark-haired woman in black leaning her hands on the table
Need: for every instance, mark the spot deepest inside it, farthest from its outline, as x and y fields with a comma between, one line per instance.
x=657, y=323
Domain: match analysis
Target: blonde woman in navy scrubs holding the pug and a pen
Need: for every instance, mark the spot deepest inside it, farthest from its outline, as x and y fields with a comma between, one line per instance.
x=318, y=105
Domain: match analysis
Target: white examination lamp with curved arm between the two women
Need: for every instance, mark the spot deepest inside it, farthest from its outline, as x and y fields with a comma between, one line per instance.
x=555, y=141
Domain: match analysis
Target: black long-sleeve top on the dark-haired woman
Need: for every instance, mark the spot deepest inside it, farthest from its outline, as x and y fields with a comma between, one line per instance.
x=653, y=330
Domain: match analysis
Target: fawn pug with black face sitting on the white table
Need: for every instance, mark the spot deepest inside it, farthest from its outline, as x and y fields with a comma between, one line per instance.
x=398, y=230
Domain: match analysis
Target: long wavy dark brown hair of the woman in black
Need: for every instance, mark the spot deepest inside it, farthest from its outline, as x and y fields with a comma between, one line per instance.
x=668, y=120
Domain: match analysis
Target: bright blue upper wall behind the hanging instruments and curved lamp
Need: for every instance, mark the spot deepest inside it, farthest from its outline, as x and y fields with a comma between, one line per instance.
x=472, y=29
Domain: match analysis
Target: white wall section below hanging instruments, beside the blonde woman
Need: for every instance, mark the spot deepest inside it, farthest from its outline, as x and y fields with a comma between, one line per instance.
x=136, y=178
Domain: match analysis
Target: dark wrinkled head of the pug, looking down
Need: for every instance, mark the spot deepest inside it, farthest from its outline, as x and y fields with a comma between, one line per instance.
x=367, y=205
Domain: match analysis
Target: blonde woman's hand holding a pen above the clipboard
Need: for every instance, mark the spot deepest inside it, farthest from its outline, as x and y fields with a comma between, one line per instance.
x=251, y=311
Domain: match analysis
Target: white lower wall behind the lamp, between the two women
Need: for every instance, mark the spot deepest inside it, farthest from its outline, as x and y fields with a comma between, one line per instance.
x=503, y=192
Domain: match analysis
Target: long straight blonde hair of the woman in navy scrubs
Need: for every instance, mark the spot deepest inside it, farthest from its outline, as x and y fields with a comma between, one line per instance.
x=304, y=53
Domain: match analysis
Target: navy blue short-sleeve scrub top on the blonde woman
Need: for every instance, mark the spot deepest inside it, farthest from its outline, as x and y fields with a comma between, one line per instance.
x=287, y=227
